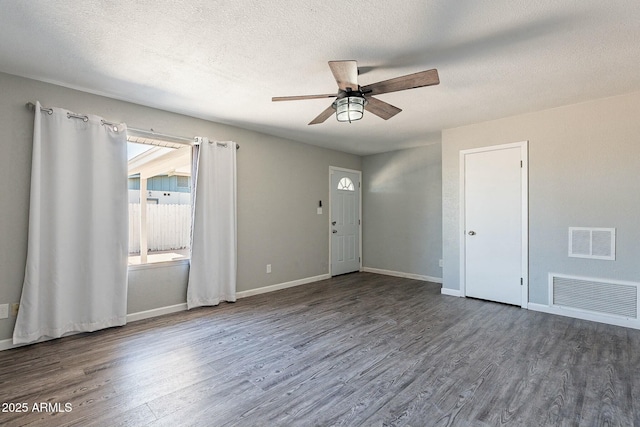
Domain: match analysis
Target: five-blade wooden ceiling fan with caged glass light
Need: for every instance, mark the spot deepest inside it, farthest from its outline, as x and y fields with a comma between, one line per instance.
x=352, y=99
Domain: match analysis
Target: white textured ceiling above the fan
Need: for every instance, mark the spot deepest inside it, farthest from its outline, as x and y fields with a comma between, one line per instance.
x=224, y=60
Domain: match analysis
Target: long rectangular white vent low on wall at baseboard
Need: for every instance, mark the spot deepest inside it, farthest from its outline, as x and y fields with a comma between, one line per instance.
x=601, y=296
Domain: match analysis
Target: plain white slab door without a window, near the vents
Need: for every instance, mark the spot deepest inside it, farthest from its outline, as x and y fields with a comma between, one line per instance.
x=494, y=223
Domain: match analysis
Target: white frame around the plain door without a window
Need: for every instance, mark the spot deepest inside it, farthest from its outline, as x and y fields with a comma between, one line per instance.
x=524, y=153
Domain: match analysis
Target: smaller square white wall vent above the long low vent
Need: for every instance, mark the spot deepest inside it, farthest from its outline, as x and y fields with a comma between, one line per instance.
x=595, y=243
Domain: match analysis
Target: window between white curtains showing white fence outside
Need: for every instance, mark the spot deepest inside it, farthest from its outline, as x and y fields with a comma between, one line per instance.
x=159, y=183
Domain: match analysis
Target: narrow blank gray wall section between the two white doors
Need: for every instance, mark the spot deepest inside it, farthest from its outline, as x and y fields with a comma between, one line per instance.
x=402, y=211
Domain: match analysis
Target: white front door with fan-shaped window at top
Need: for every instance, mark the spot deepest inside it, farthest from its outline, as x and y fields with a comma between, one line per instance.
x=345, y=221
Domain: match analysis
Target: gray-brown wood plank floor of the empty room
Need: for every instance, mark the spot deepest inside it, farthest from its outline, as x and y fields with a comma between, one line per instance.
x=360, y=349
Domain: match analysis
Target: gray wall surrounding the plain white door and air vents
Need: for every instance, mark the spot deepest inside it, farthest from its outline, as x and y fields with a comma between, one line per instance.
x=584, y=162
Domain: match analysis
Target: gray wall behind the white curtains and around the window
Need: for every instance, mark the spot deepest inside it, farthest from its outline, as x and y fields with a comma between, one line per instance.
x=279, y=185
